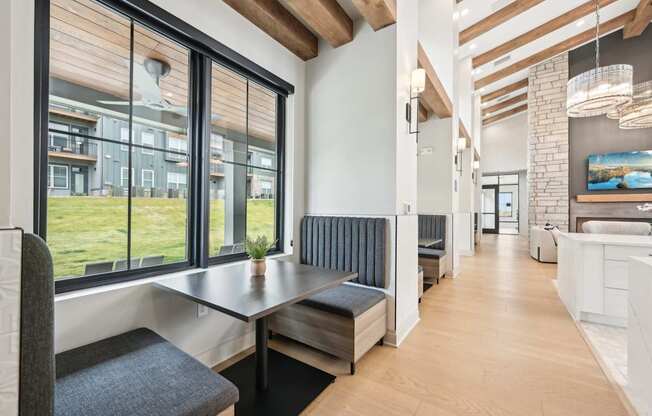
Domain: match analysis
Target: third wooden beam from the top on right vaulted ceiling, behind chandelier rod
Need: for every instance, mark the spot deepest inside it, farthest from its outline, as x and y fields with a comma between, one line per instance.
x=566, y=45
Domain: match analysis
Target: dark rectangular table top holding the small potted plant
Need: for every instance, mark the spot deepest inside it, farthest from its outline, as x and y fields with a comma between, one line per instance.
x=233, y=291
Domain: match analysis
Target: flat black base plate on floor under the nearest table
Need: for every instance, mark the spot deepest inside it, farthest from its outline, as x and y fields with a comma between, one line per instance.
x=292, y=385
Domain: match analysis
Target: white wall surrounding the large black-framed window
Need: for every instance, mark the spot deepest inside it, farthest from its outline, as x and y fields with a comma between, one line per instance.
x=81, y=319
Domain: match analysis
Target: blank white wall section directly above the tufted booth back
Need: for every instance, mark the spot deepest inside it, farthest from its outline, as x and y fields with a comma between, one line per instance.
x=351, y=126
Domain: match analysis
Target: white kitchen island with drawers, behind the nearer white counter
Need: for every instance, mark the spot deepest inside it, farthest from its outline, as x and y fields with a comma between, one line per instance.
x=592, y=274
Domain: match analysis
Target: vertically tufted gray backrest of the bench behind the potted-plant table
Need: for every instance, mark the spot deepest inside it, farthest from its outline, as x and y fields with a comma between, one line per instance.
x=346, y=244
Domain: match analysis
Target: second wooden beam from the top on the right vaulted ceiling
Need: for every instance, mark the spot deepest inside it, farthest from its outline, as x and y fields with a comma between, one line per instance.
x=538, y=32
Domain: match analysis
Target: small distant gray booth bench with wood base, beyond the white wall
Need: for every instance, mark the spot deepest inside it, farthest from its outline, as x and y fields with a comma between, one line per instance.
x=433, y=259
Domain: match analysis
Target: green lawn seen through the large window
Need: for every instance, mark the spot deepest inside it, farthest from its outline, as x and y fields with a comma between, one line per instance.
x=84, y=229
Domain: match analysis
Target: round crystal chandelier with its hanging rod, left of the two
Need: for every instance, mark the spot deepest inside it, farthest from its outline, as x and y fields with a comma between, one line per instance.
x=602, y=89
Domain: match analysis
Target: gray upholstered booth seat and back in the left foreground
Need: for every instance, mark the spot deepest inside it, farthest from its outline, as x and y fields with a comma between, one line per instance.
x=135, y=373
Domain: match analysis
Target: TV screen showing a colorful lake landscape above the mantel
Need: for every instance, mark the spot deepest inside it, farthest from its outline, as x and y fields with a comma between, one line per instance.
x=627, y=170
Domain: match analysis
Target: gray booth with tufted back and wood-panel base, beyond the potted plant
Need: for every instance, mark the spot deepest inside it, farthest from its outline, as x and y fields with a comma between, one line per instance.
x=350, y=319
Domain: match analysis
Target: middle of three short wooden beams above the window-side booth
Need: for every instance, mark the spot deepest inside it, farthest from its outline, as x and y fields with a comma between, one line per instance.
x=327, y=18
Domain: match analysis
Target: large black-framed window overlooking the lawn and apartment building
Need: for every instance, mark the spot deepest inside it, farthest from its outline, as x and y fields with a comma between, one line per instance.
x=124, y=164
